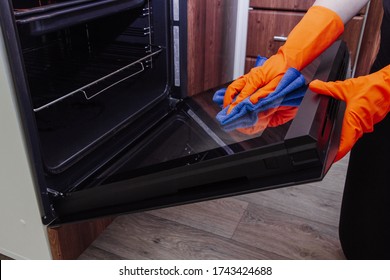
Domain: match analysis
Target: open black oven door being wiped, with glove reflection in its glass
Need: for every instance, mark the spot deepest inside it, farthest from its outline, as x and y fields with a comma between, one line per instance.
x=189, y=157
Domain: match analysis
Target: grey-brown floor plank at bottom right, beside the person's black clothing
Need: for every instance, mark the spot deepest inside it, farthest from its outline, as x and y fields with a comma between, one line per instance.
x=287, y=235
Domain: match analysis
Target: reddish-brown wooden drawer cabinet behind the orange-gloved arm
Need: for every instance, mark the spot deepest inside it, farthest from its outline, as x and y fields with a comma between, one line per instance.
x=270, y=21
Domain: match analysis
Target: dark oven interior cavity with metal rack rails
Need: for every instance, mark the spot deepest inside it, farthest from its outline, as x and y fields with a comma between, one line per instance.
x=94, y=74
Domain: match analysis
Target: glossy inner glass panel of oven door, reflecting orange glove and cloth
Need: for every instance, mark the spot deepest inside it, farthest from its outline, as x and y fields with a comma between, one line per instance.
x=194, y=134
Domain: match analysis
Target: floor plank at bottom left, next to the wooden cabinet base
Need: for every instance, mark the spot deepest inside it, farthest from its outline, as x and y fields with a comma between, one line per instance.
x=144, y=236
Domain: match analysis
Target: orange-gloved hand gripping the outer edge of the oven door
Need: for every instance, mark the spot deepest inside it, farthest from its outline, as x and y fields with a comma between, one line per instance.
x=368, y=102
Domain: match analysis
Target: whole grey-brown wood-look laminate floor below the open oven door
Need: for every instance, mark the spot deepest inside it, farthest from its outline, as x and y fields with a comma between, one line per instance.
x=299, y=222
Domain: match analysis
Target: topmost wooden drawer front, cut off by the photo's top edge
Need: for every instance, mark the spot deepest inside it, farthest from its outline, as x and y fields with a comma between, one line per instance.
x=295, y=5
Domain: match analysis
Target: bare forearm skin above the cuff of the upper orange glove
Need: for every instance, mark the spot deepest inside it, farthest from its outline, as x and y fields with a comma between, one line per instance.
x=346, y=9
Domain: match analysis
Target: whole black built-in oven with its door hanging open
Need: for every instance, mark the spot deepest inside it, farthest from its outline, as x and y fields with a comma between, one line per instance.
x=101, y=90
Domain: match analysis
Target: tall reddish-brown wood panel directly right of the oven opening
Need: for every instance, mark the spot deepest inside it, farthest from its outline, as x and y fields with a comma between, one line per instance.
x=211, y=38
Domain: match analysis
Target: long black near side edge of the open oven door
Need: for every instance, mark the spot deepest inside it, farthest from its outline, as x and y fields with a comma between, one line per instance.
x=227, y=176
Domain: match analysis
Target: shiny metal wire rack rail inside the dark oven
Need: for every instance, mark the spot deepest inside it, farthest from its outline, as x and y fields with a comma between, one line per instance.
x=140, y=62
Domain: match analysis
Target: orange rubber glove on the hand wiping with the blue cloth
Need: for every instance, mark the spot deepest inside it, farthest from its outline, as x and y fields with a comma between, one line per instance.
x=317, y=30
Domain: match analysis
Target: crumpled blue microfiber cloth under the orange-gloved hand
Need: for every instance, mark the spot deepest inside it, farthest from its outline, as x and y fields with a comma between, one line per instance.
x=289, y=92
